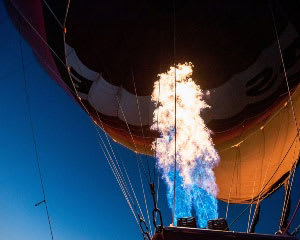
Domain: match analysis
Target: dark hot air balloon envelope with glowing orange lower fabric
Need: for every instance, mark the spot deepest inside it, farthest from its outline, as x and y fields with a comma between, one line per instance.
x=107, y=55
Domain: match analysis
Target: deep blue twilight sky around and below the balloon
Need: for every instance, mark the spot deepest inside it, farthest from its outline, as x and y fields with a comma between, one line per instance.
x=84, y=199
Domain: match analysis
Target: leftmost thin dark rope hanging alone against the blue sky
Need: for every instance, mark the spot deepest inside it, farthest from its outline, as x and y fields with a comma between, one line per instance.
x=37, y=159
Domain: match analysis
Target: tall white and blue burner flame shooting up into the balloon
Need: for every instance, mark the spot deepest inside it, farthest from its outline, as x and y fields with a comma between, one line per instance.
x=196, y=156
